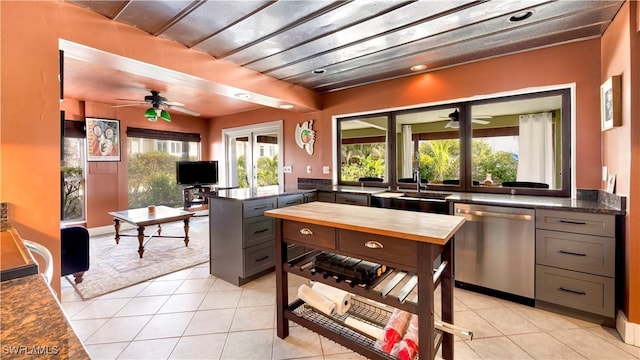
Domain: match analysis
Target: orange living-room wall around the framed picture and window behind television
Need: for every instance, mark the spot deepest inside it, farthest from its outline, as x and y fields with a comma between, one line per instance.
x=106, y=182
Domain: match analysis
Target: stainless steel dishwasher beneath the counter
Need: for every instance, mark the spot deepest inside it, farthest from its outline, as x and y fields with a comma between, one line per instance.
x=495, y=249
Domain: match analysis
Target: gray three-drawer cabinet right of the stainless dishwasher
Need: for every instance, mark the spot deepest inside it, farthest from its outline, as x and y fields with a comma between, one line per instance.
x=575, y=262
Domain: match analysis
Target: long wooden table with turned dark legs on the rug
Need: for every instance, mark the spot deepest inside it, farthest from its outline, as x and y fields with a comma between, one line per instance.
x=142, y=217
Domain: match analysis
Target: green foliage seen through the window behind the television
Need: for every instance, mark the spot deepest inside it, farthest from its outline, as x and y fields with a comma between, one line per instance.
x=152, y=180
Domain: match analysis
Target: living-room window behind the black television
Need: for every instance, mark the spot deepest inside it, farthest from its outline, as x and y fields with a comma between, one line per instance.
x=151, y=170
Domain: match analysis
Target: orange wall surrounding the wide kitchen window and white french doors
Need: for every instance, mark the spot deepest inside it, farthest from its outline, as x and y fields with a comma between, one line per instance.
x=551, y=66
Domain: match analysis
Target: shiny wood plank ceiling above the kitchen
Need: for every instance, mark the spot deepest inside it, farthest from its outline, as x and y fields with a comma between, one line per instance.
x=327, y=45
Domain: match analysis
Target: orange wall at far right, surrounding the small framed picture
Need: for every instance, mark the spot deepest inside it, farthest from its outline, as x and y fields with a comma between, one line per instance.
x=621, y=145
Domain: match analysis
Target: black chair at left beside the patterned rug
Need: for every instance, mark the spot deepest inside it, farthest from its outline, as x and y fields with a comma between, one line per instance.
x=75, y=251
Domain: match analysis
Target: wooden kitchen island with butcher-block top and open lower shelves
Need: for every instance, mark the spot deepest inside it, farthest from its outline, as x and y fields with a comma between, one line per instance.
x=415, y=247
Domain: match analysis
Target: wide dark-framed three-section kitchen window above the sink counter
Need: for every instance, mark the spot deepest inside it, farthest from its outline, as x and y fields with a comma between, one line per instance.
x=515, y=144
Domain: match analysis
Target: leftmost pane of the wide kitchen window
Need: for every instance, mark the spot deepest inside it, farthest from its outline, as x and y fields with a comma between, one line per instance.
x=363, y=149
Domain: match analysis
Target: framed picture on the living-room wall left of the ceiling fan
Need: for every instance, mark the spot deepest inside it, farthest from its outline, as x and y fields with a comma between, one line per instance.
x=103, y=139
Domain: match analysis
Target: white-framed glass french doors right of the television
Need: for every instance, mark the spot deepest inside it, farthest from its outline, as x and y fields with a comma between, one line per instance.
x=253, y=155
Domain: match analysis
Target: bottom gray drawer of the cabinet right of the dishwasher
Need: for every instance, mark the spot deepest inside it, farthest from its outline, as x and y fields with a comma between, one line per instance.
x=590, y=293
